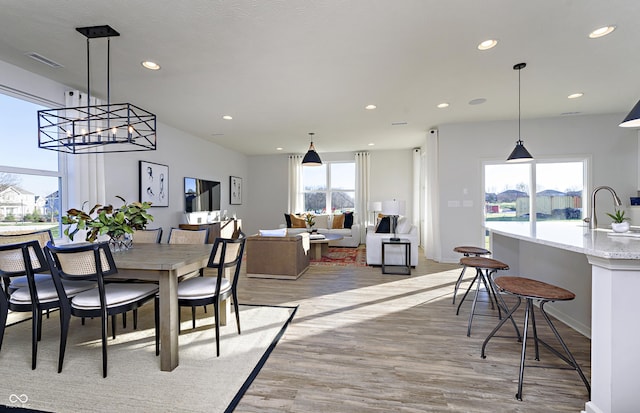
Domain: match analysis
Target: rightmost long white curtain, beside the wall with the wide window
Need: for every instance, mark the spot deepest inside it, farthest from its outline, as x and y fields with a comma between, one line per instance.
x=432, y=247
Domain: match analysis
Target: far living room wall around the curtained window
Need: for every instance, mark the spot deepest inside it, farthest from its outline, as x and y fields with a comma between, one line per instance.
x=391, y=177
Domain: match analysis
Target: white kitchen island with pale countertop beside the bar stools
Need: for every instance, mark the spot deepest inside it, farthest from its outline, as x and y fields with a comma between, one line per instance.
x=603, y=270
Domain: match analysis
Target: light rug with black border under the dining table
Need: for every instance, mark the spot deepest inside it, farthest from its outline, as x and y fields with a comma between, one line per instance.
x=201, y=383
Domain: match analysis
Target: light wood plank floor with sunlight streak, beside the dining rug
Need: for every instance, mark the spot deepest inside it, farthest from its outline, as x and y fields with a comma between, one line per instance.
x=362, y=341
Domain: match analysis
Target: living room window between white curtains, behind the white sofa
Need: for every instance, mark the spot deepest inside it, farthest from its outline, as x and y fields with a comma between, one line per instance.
x=329, y=187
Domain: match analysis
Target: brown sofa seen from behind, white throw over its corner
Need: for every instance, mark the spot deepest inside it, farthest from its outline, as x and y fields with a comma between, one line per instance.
x=279, y=257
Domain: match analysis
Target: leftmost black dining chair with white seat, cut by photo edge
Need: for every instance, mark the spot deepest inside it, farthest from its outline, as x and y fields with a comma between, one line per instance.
x=25, y=259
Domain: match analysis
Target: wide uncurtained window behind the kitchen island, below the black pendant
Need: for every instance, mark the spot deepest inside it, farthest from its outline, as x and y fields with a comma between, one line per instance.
x=558, y=196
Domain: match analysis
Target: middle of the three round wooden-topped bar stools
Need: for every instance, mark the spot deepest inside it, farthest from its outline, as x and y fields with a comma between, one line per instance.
x=490, y=266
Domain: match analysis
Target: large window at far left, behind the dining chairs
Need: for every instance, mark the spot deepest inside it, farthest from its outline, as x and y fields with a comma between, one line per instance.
x=30, y=178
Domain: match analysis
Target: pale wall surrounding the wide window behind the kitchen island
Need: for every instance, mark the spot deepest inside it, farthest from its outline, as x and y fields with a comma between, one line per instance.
x=463, y=148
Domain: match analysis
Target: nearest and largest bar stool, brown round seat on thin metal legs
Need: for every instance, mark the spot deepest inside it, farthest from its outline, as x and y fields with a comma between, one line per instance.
x=540, y=291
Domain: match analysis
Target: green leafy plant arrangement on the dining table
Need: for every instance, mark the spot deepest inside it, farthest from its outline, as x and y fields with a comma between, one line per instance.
x=105, y=219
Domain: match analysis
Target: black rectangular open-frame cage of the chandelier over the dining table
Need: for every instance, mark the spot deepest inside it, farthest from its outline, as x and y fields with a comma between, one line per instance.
x=119, y=127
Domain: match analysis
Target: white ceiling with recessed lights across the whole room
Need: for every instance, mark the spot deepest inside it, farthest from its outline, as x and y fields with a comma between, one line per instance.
x=284, y=68
